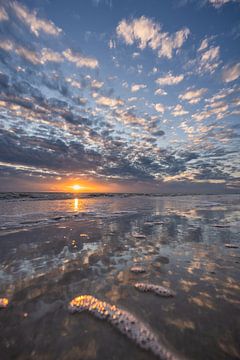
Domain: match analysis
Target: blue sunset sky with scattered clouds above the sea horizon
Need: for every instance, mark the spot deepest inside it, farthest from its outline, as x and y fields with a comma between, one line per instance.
x=120, y=95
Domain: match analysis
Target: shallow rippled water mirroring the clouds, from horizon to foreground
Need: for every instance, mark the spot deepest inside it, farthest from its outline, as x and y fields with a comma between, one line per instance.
x=45, y=264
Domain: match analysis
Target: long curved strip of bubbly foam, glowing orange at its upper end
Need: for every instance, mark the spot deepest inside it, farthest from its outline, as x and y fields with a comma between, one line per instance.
x=125, y=322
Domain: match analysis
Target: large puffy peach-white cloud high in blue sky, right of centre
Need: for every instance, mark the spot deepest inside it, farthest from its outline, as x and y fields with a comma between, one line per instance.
x=145, y=32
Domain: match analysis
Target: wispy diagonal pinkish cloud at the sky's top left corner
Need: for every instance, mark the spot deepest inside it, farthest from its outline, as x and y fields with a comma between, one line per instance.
x=35, y=24
